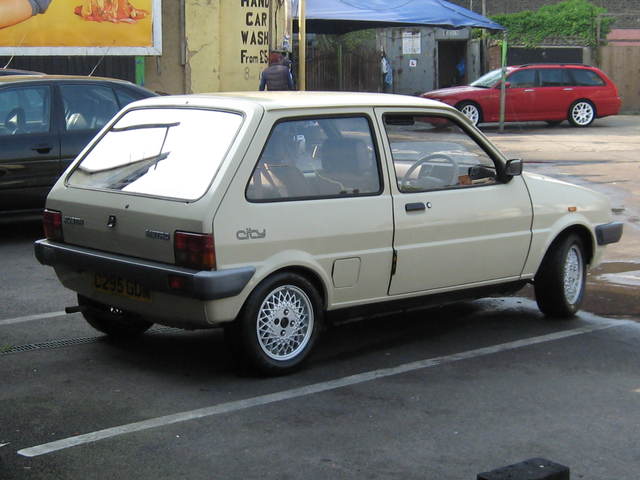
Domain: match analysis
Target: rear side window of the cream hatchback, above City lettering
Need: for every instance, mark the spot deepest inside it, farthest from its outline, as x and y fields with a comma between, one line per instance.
x=317, y=158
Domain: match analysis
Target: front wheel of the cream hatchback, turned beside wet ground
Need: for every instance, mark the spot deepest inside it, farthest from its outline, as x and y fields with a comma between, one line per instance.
x=561, y=280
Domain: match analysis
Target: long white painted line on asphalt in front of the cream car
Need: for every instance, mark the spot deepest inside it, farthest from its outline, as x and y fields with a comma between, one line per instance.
x=306, y=390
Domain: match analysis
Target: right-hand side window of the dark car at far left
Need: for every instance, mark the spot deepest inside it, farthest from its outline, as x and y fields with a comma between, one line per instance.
x=87, y=107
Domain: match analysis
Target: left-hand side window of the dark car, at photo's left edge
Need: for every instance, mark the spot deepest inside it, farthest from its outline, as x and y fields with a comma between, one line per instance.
x=25, y=110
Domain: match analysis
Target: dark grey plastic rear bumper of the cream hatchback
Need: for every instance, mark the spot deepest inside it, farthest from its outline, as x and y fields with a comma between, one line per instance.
x=201, y=285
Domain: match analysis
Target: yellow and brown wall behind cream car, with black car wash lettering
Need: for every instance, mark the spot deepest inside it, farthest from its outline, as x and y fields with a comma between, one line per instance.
x=226, y=45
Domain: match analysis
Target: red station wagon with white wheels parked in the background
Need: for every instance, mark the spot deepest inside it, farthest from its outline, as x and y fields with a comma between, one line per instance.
x=548, y=92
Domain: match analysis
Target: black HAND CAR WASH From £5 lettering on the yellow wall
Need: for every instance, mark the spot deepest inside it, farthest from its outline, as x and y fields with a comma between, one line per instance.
x=254, y=34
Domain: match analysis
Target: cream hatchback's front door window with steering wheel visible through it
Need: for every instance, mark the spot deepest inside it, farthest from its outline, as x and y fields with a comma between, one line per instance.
x=435, y=153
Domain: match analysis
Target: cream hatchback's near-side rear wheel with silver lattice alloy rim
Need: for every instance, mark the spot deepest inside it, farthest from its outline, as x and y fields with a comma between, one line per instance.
x=279, y=324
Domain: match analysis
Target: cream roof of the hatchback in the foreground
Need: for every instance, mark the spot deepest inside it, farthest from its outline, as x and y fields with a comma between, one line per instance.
x=291, y=99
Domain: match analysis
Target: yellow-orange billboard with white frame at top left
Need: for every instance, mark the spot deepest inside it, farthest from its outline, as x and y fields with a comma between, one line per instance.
x=80, y=27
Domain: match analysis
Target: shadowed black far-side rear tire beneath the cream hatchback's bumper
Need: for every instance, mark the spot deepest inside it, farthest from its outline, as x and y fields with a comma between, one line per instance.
x=112, y=321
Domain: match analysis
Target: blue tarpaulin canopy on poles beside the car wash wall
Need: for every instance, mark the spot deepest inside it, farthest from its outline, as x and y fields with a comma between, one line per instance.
x=340, y=16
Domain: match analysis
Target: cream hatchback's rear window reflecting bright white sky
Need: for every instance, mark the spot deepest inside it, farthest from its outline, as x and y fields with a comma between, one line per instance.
x=165, y=152
